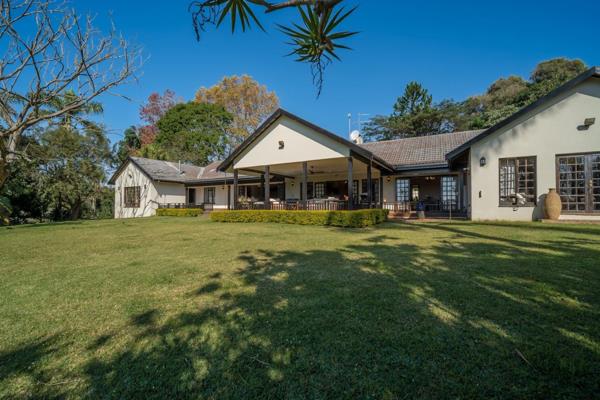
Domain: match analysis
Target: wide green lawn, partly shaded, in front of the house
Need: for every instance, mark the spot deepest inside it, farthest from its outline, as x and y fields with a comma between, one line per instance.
x=188, y=308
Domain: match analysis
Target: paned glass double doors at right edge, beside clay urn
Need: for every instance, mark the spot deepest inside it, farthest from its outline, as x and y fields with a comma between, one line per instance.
x=578, y=181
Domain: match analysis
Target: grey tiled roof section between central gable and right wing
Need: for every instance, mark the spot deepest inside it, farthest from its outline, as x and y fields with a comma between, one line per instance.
x=421, y=151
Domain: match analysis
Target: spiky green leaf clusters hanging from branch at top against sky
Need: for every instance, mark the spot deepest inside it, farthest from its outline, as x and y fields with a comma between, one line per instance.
x=314, y=39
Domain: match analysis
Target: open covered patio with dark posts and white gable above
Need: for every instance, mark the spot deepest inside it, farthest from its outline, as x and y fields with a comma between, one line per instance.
x=320, y=170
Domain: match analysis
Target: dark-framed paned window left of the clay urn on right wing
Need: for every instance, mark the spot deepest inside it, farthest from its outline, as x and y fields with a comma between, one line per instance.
x=517, y=182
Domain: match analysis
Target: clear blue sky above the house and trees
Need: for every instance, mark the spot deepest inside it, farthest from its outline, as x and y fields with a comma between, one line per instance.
x=455, y=49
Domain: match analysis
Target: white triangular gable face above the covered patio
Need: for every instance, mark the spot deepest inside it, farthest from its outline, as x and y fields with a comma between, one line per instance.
x=301, y=143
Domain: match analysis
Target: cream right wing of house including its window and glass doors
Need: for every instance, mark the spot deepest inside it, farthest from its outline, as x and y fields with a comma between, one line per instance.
x=554, y=145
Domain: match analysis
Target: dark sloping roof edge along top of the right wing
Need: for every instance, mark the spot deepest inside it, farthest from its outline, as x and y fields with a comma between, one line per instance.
x=593, y=72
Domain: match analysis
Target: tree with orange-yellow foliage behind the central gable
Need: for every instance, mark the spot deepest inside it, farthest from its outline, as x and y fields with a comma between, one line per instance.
x=249, y=102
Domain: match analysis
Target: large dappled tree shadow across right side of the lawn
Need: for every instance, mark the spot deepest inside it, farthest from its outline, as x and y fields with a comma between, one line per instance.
x=475, y=316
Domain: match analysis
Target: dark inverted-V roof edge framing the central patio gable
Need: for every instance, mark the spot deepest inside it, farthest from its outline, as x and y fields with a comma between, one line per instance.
x=356, y=149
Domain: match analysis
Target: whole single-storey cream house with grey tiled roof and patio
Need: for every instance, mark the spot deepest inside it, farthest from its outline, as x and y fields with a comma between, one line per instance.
x=500, y=173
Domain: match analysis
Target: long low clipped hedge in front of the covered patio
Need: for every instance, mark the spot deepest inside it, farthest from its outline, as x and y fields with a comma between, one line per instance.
x=350, y=219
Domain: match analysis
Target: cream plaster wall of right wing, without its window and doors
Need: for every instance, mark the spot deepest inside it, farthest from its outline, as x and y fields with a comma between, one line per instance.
x=545, y=133
